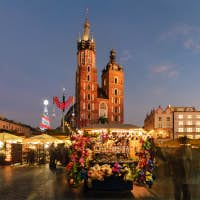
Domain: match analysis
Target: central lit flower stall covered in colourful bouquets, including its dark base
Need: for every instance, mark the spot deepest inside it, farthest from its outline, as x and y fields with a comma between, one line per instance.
x=104, y=160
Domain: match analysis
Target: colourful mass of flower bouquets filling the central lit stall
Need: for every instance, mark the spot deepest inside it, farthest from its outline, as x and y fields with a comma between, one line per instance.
x=97, y=165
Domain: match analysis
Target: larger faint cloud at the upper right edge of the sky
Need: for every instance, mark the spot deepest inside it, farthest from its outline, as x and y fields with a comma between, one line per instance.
x=187, y=35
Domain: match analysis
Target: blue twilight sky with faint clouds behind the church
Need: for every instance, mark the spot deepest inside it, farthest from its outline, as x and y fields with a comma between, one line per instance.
x=157, y=42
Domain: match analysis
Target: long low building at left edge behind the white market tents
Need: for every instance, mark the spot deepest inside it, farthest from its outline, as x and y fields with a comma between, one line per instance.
x=14, y=127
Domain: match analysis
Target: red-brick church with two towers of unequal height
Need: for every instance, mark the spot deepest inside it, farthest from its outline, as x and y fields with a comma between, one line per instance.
x=96, y=103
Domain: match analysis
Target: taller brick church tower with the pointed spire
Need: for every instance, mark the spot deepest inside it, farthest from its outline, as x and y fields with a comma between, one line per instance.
x=86, y=78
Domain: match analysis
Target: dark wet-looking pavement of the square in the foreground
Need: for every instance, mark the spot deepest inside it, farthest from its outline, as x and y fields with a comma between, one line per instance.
x=39, y=182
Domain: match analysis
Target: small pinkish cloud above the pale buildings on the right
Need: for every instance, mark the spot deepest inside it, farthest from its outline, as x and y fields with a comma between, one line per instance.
x=165, y=70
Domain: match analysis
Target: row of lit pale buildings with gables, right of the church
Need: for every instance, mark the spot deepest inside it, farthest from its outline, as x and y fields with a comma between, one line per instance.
x=174, y=122
